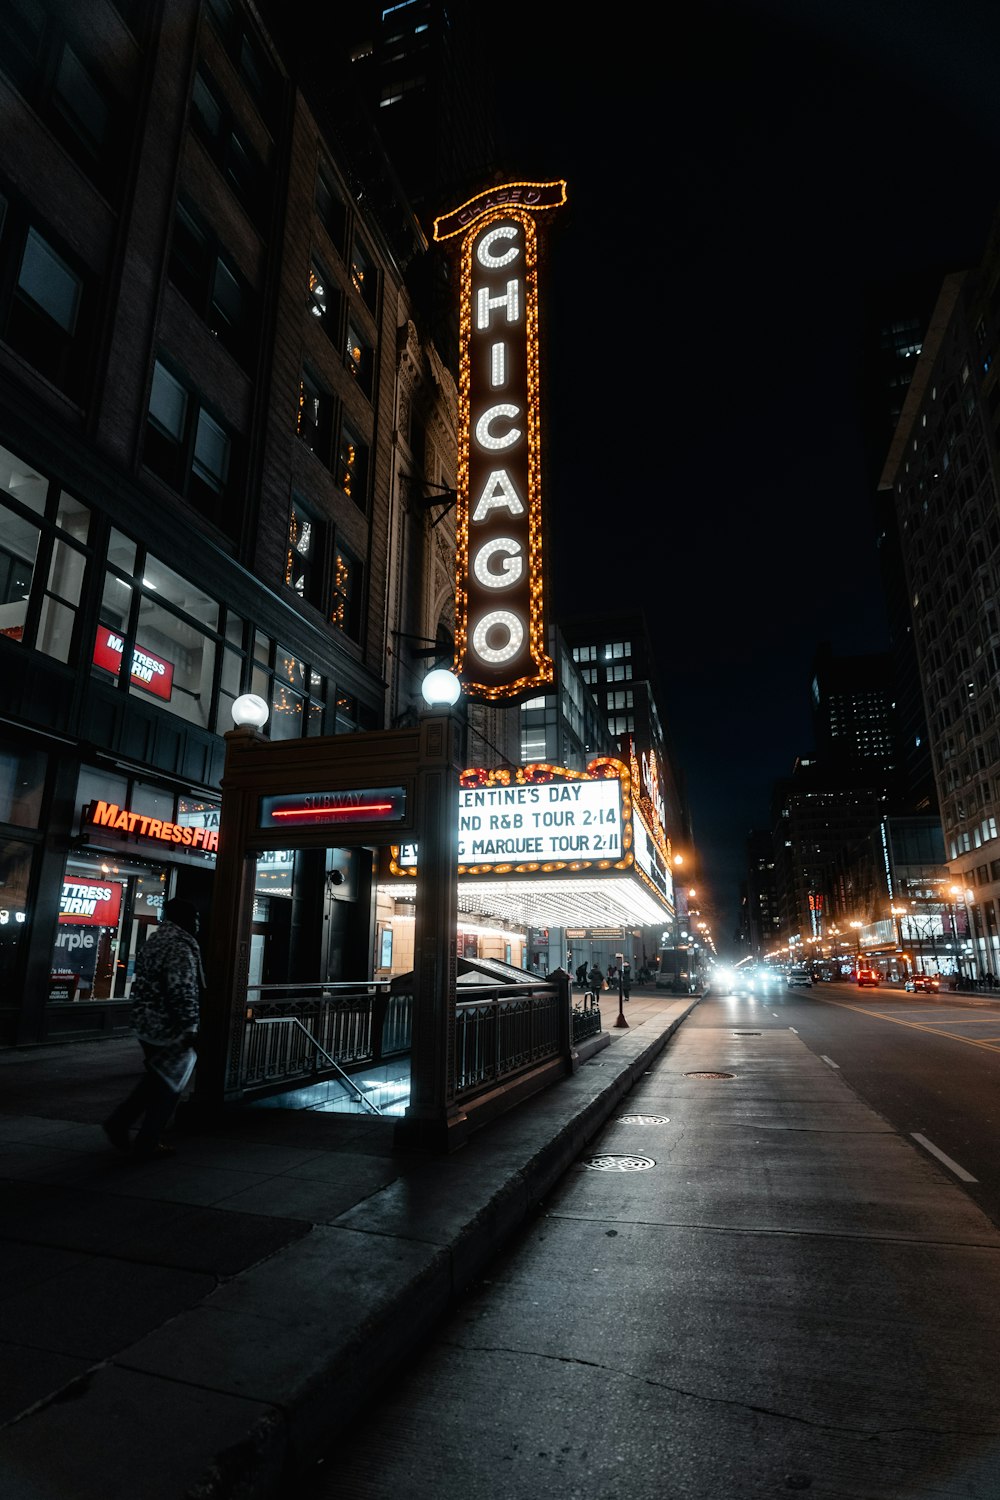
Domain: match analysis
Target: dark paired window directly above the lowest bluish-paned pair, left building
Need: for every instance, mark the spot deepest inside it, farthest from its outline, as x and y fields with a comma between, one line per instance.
x=212, y=284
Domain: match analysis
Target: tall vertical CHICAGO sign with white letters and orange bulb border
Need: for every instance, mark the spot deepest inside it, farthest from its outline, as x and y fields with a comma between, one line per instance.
x=500, y=592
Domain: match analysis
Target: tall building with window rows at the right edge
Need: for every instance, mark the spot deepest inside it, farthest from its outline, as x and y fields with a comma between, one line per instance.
x=944, y=473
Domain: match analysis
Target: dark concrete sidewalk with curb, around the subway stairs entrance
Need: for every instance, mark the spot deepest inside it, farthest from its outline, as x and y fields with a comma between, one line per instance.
x=206, y=1325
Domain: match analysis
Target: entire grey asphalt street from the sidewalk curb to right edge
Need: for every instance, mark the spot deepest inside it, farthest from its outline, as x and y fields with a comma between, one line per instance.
x=747, y=1286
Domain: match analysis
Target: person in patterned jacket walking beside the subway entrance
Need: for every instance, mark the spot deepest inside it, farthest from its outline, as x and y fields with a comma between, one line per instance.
x=166, y=1003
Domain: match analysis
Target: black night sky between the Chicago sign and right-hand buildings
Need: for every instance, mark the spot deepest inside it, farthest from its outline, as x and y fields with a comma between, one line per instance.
x=741, y=176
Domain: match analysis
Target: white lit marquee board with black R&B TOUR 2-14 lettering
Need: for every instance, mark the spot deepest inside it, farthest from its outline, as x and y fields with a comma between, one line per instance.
x=555, y=823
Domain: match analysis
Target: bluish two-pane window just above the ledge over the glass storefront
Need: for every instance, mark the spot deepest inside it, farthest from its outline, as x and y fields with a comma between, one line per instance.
x=185, y=445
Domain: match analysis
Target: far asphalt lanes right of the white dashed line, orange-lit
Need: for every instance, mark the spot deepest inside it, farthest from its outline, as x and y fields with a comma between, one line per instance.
x=932, y=1069
